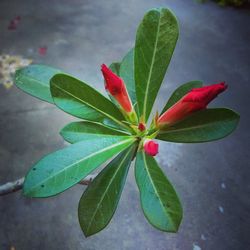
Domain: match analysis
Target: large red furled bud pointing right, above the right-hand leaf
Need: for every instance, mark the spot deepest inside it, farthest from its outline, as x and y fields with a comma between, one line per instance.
x=196, y=99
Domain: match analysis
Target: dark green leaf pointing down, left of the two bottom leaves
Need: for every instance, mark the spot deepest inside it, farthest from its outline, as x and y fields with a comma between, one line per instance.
x=99, y=202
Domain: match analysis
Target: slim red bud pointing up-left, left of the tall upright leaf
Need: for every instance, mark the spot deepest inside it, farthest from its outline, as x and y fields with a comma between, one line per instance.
x=116, y=87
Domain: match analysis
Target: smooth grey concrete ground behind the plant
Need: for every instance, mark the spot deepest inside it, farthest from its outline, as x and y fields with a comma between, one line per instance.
x=212, y=179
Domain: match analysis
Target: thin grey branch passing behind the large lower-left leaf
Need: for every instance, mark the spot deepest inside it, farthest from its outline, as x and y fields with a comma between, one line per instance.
x=14, y=186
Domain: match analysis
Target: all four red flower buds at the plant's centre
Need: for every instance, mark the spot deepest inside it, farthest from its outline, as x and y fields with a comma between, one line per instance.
x=195, y=100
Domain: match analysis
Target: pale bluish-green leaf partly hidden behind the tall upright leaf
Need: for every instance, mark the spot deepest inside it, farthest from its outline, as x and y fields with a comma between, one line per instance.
x=127, y=74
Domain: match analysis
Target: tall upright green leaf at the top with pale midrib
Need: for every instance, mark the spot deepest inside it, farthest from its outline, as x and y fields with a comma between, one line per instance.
x=155, y=42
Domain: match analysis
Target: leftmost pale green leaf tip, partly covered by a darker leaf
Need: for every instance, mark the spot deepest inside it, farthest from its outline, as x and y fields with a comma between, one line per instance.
x=34, y=80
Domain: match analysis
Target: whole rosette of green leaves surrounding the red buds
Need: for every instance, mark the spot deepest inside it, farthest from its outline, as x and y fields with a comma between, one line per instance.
x=104, y=135
